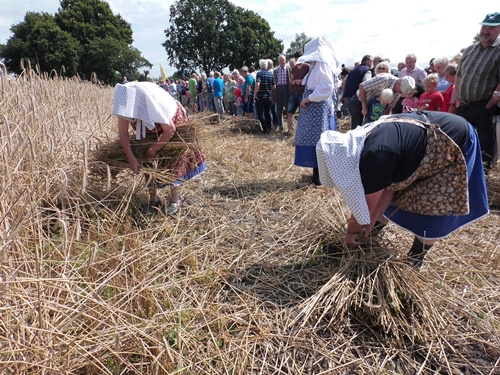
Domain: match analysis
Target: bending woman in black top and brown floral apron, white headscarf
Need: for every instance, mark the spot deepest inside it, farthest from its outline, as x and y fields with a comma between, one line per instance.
x=422, y=171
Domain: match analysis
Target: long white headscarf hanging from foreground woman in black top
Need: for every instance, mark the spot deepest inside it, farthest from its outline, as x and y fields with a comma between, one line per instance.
x=338, y=162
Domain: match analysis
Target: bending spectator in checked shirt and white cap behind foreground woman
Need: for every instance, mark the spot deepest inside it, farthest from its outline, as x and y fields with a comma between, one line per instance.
x=373, y=87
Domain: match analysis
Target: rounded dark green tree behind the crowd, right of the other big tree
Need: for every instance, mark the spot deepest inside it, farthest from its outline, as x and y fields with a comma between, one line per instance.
x=214, y=34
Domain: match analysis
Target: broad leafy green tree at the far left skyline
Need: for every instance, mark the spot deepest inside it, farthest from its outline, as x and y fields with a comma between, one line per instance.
x=84, y=36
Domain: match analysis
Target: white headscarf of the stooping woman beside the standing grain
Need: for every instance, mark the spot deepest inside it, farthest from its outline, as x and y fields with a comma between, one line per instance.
x=144, y=102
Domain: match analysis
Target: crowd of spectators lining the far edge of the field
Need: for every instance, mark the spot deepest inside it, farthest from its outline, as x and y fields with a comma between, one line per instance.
x=364, y=93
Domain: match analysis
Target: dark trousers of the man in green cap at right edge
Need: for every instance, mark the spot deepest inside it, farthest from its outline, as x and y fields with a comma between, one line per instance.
x=482, y=120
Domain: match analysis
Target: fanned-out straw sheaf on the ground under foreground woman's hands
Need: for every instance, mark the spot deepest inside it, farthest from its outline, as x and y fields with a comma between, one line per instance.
x=372, y=284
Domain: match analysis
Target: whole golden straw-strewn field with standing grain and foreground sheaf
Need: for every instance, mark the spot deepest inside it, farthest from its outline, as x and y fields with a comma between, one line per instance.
x=250, y=278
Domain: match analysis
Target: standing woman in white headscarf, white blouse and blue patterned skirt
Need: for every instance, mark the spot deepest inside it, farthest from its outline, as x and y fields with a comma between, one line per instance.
x=318, y=105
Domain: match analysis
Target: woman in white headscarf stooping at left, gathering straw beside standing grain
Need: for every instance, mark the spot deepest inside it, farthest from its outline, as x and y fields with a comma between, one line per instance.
x=153, y=113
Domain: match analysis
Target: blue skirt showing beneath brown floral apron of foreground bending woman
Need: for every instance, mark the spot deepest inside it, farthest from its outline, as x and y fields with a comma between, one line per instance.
x=435, y=227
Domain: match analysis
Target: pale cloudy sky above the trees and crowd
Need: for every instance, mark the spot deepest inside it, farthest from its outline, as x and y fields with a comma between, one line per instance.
x=355, y=28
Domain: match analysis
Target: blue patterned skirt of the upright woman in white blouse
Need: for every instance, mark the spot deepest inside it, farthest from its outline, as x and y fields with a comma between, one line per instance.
x=316, y=118
